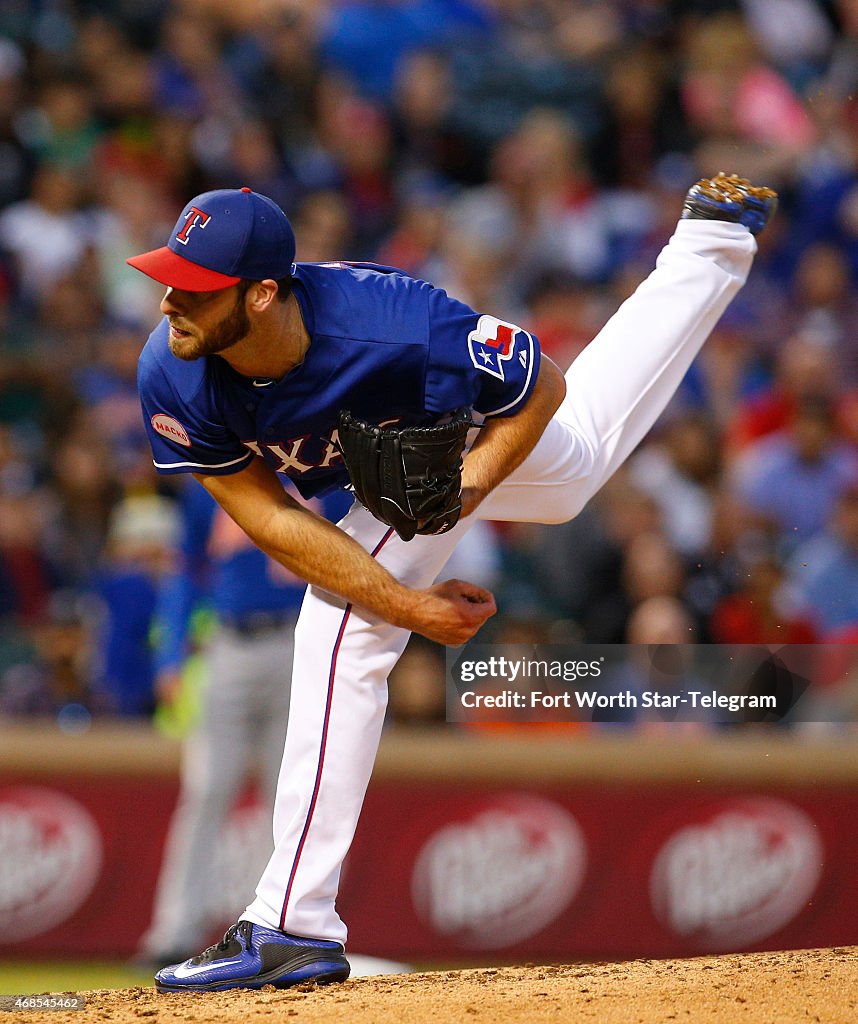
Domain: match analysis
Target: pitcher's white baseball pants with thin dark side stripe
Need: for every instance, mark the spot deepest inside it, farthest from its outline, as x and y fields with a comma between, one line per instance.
x=617, y=390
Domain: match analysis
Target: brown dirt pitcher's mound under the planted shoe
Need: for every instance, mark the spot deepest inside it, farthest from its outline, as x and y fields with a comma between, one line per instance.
x=803, y=987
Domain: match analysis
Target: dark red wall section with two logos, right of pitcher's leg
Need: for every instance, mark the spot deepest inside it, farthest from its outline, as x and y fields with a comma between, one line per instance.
x=608, y=872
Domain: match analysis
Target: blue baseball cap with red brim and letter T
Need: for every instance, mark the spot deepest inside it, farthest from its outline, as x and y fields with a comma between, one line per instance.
x=222, y=238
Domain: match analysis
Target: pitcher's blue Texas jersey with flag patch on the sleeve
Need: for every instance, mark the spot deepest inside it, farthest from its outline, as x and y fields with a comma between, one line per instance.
x=385, y=347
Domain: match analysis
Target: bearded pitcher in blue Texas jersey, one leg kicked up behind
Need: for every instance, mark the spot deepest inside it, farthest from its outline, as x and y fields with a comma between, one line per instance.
x=438, y=415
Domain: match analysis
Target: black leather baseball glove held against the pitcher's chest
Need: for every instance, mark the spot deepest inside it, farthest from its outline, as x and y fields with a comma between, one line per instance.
x=410, y=479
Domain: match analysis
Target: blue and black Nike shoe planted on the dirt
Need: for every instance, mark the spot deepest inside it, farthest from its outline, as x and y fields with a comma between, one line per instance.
x=250, y=957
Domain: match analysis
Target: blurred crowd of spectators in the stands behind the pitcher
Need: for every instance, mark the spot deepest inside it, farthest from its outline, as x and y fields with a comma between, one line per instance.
x=531, y=157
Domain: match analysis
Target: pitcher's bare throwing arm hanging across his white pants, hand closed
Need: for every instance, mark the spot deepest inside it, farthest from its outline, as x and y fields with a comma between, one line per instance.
x=321, y=553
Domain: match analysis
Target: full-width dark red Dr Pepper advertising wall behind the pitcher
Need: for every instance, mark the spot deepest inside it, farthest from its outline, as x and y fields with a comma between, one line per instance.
x=470, y=865
